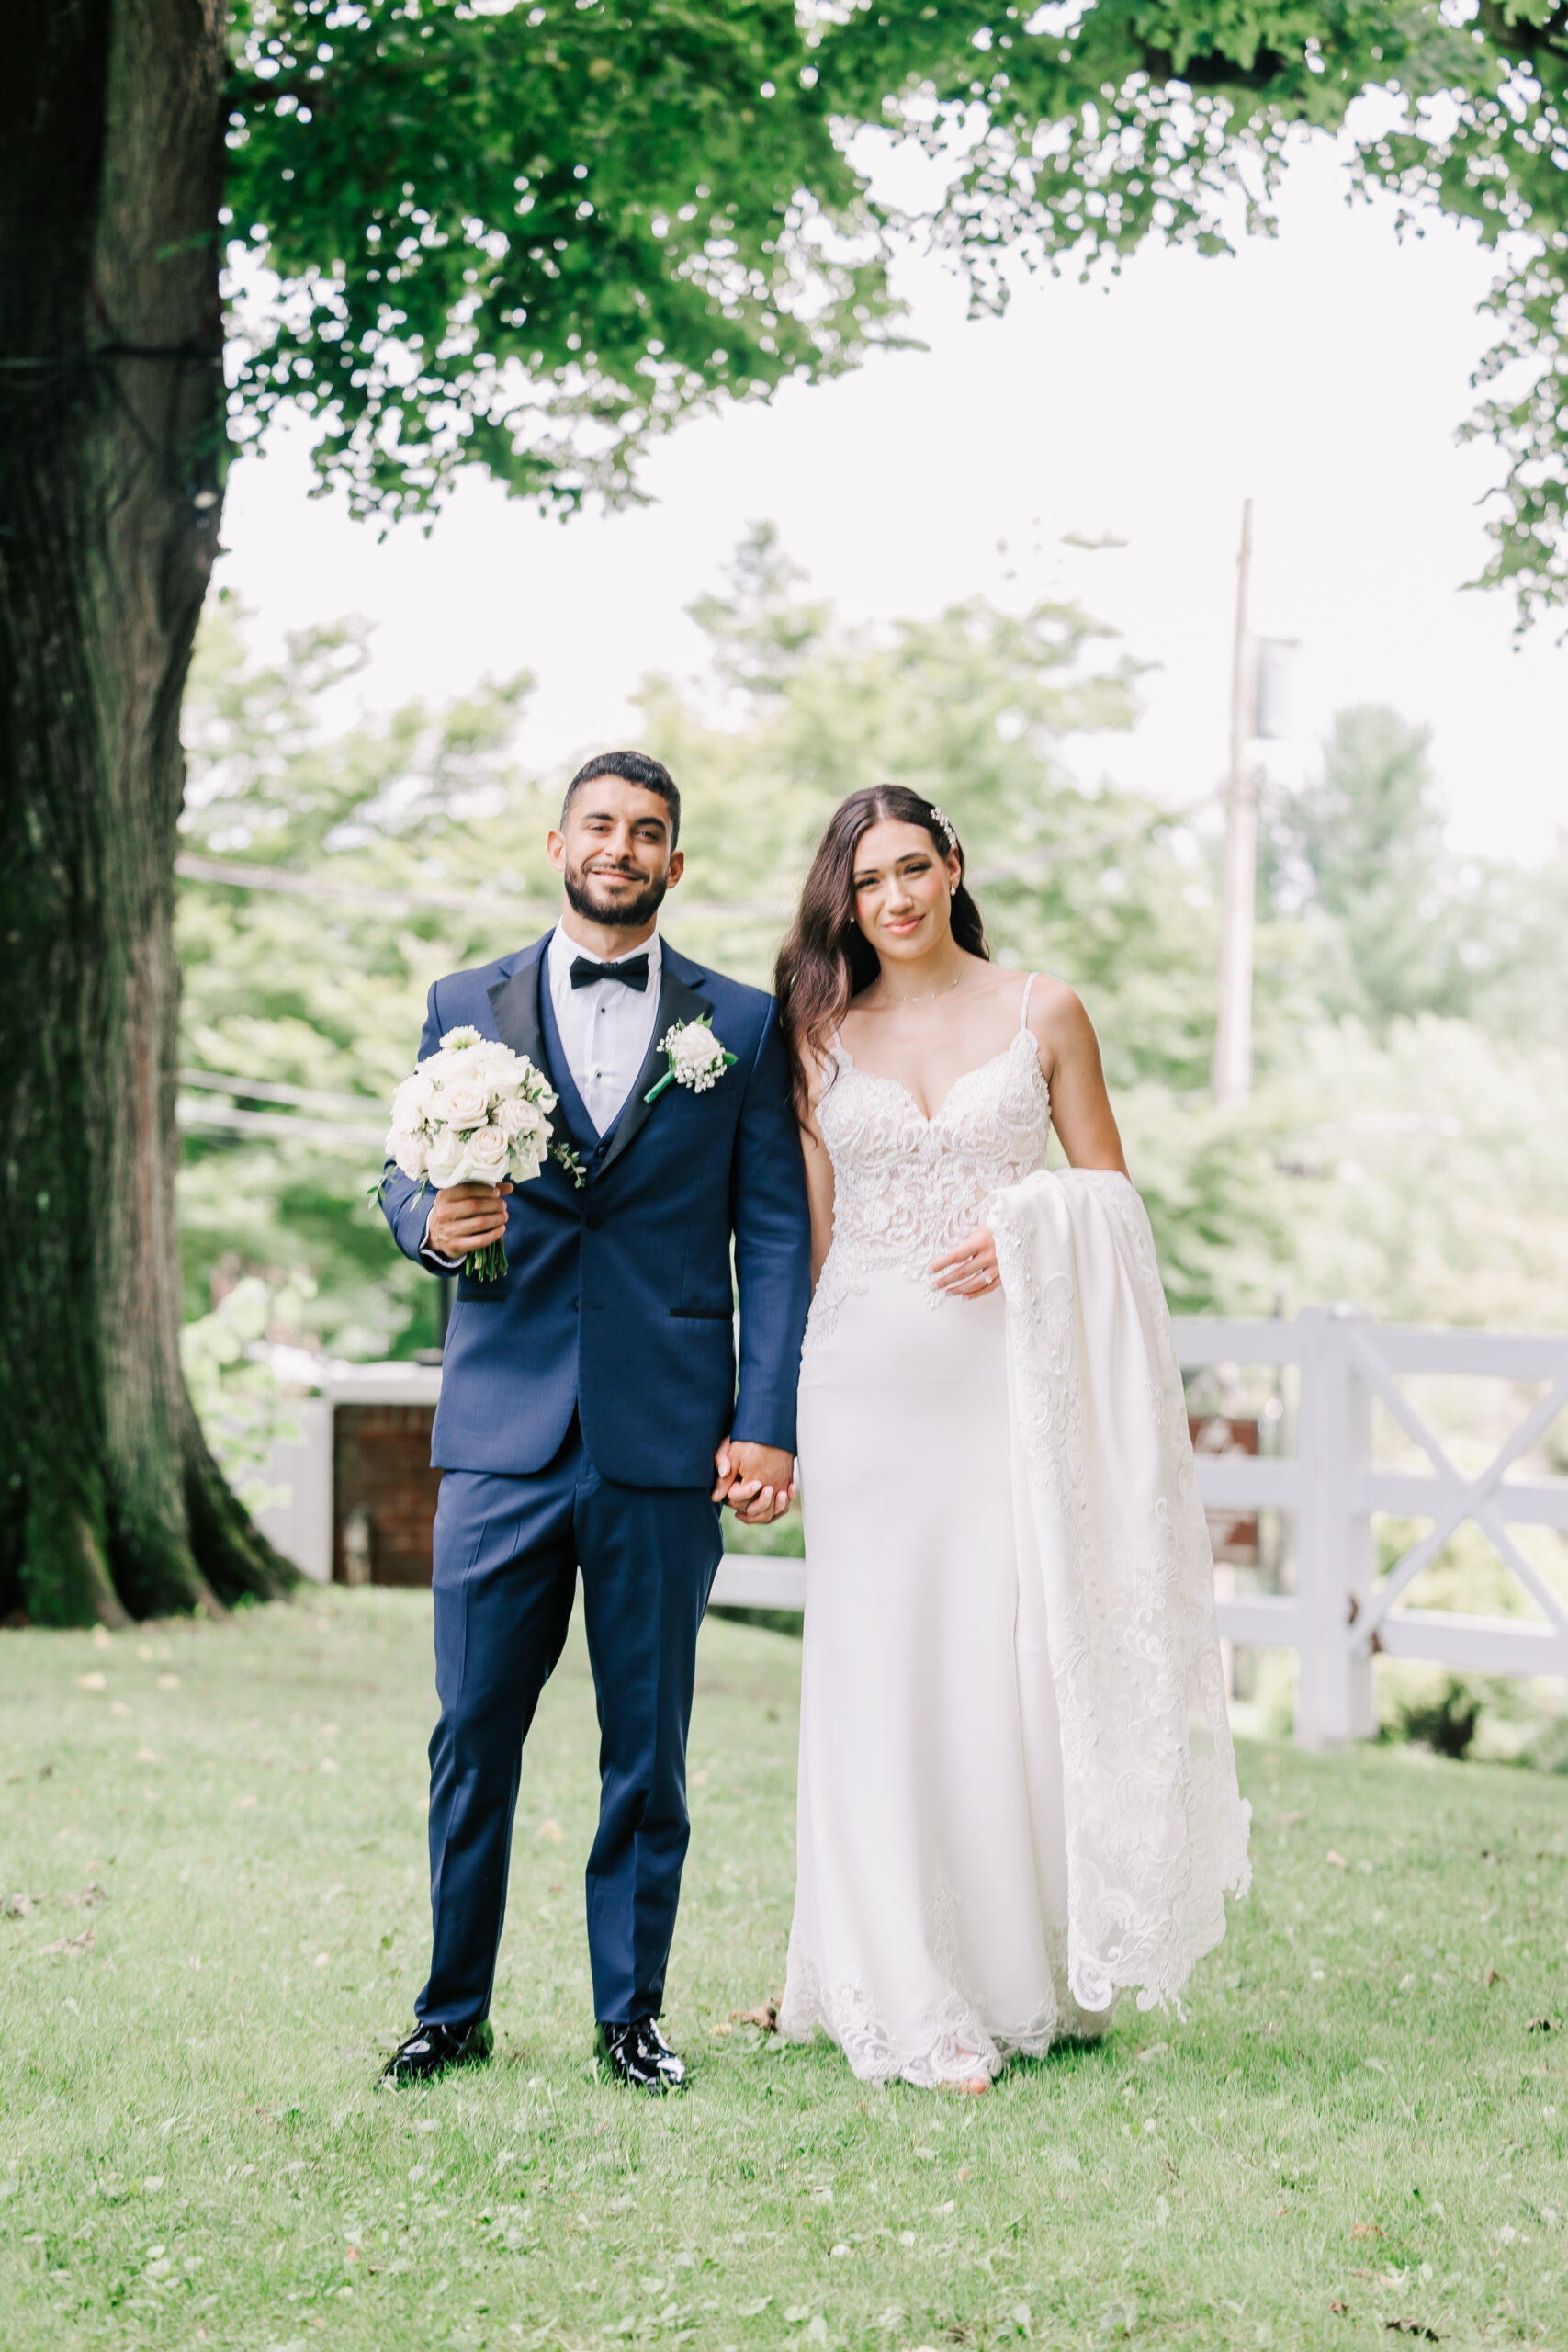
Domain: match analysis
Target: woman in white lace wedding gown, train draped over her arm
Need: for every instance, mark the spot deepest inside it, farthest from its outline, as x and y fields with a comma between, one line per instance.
x=1017, y=1784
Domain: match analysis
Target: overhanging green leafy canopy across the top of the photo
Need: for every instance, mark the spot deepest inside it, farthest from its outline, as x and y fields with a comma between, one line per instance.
x=535, y=236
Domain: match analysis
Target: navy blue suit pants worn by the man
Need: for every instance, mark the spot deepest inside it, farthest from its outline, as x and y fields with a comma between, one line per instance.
x=507, y=1561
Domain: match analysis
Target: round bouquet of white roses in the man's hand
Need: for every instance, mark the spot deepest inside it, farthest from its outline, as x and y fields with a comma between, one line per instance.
x=476, y=1114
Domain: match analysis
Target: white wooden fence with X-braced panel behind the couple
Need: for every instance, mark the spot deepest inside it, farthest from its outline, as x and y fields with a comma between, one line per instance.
x=1343, y=1610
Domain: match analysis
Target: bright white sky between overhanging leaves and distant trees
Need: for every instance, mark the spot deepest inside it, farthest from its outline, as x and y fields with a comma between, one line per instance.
x=1320, y=375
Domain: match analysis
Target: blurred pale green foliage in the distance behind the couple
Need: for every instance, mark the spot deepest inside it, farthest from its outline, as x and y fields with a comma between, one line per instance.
x=1405, y=1142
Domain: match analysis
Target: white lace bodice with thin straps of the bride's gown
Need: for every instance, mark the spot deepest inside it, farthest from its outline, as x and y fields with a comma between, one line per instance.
x=904, y=1187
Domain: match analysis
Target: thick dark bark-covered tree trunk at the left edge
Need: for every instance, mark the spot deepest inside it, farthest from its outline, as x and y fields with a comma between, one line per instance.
x=112, y=460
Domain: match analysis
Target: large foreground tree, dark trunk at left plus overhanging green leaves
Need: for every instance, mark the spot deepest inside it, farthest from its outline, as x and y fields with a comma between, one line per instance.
x=525, y=239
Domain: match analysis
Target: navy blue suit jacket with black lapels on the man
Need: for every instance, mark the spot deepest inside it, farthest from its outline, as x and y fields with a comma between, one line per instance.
x=619, y=1295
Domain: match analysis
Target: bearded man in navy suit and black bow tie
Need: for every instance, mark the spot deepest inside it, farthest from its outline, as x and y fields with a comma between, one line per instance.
x=589, y=1401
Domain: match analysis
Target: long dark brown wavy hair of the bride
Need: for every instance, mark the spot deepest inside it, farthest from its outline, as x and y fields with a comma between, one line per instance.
x=824, y=963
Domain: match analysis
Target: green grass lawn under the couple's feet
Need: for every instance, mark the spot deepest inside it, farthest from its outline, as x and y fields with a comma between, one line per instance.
x=215, y=1885
